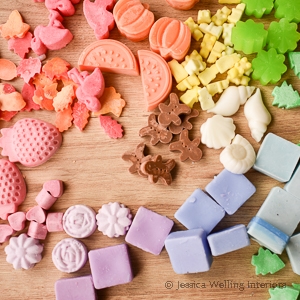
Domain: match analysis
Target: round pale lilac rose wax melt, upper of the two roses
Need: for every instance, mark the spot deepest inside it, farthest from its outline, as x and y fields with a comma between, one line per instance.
x=79, y=221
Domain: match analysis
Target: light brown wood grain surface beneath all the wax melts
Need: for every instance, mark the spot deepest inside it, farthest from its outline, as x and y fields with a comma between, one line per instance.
x=90, y=165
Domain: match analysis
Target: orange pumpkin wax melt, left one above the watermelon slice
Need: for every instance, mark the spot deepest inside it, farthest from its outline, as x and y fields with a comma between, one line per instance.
x=134, y=19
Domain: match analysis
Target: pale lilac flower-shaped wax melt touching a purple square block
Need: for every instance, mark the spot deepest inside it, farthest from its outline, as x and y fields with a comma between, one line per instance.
x=113, y=219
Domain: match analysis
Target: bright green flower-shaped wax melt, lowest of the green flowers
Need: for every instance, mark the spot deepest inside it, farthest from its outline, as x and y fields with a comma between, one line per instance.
x=268, y=66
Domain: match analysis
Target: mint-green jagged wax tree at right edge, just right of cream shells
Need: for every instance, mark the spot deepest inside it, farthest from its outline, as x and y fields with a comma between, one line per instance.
x=285, y=96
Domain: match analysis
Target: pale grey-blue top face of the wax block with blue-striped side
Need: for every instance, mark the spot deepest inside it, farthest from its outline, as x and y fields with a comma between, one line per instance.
x=281, y=209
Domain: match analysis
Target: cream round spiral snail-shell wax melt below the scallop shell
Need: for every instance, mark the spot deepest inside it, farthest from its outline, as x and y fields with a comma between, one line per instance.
x=239, y=156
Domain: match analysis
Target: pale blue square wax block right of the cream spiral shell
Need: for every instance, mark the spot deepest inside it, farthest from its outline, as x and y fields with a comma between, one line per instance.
x=277, y=157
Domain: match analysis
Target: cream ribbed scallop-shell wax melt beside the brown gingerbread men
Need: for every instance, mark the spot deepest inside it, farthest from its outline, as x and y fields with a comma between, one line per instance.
x=217, y=132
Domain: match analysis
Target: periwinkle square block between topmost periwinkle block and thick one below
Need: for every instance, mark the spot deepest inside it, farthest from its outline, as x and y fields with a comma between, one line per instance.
x=200, y=211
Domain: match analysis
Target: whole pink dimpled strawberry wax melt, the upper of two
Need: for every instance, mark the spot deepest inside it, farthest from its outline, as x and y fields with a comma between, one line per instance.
x=30, y=142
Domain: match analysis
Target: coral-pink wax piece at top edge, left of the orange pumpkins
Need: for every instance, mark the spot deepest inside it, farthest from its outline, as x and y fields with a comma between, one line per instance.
x=98, y=16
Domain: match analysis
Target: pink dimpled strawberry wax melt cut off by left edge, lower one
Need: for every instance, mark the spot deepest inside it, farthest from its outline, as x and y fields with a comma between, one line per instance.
x=12, y=188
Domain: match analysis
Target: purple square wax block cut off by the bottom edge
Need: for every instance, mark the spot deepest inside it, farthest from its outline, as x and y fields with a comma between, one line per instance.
x=79, y=288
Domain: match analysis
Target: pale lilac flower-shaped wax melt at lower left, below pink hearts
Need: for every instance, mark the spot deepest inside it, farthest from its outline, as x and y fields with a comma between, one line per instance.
x=23, y=251
